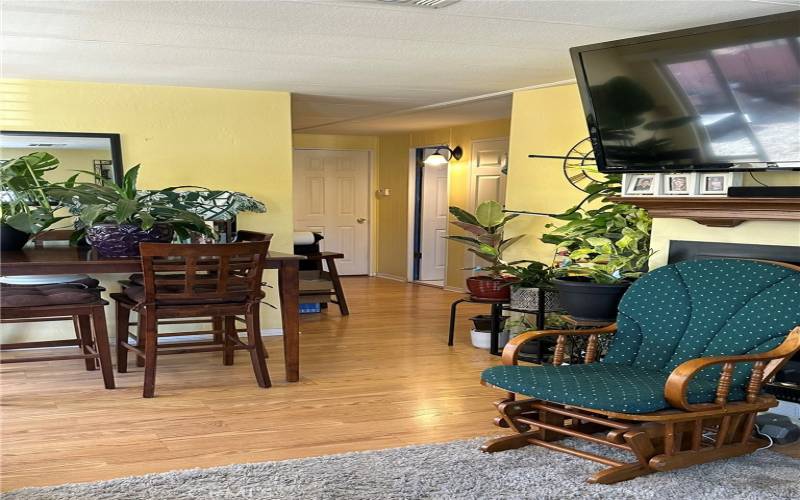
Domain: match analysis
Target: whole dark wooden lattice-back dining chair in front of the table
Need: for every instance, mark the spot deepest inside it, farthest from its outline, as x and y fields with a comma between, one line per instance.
x=191, y=281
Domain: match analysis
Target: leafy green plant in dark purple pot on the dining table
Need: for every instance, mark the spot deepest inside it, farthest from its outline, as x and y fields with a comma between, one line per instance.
x=115, y=219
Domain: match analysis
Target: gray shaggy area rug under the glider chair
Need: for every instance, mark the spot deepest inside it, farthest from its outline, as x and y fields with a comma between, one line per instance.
x=454, y=470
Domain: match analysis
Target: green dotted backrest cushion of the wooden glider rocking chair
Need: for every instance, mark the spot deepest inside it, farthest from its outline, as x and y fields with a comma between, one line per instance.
x=706, y=308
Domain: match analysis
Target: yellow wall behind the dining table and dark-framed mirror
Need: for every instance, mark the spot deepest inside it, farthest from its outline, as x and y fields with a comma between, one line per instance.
x=228, y=139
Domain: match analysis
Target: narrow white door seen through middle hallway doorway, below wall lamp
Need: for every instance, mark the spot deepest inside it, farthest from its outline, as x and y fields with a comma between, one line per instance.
x=433, y=227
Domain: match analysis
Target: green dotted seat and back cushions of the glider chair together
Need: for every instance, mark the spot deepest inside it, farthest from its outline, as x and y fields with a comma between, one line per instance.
x=671, y=315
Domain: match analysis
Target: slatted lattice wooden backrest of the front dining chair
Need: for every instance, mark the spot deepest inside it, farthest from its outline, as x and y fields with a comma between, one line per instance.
x=229, y=272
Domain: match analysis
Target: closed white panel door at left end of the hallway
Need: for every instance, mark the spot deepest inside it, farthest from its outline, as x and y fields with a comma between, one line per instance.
x=331, y=197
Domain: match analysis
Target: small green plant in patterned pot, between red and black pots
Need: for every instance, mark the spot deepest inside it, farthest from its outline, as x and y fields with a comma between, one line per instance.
x=532, y=283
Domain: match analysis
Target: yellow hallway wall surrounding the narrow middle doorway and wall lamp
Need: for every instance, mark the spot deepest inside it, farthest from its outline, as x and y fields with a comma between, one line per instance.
x=393, y=172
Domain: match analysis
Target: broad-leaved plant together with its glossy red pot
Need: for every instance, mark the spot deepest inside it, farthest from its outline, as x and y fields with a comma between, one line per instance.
x=486, y=241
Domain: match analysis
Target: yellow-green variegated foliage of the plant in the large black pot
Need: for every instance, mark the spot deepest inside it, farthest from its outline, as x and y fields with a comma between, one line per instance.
x=608, y=245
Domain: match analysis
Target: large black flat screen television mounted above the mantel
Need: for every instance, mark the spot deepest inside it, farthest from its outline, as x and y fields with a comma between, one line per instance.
x=719, y=97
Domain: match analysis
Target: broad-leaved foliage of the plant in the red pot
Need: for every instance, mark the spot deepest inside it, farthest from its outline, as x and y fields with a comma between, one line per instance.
x=486, y=229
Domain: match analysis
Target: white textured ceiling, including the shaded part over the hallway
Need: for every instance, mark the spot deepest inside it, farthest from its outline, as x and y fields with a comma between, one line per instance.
x=353, y=66
